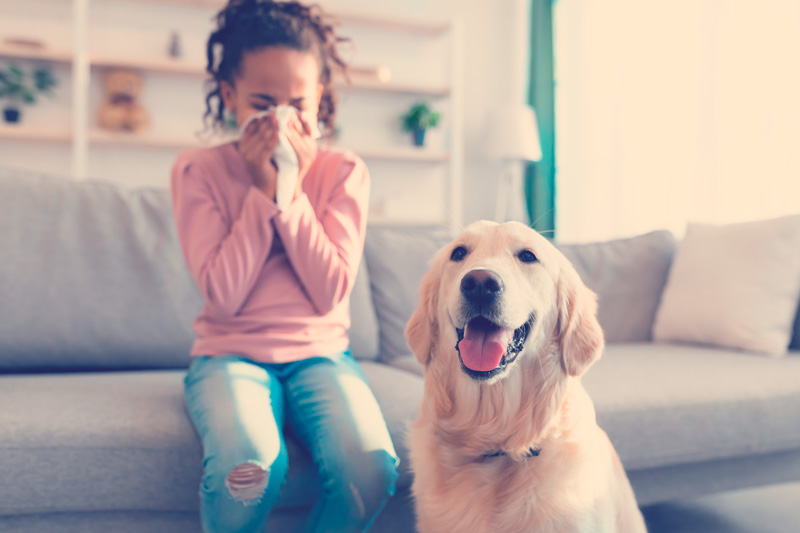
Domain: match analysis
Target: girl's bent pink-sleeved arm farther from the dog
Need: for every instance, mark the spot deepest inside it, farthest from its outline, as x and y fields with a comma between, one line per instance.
x=224, y=257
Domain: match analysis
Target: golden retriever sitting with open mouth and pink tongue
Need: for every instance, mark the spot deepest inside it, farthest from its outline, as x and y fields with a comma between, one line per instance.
x=506, y=440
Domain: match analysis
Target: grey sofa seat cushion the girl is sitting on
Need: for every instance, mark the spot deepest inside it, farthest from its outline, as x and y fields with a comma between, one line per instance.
x=123, y=440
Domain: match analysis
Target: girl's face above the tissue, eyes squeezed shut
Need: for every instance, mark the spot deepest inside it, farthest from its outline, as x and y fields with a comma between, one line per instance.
x=272, y=76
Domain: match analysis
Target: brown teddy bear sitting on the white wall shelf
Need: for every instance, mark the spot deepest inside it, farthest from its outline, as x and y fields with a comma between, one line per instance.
x=121, y=111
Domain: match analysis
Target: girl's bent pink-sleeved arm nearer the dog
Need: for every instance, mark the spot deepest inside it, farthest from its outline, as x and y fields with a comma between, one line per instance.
x=325, y=252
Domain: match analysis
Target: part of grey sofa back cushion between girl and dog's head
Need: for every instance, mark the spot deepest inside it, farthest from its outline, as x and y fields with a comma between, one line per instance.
x=397, y=258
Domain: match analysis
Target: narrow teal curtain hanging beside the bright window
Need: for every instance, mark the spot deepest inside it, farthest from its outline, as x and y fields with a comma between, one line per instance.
x=540, y=185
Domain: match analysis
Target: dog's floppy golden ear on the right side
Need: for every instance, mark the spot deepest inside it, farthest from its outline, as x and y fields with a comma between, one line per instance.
x=581, y=337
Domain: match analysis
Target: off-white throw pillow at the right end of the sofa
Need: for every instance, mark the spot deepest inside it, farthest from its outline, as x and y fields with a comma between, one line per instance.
x=735, y=286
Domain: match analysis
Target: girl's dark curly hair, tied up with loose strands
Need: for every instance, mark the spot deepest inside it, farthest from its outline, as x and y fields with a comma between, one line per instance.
x=248, y=25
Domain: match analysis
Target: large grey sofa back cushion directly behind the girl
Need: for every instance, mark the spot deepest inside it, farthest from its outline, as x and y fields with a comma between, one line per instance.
x=92, y=277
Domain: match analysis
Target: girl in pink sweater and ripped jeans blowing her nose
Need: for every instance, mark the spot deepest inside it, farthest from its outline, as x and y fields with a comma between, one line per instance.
x=271, y=351
